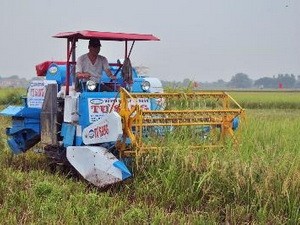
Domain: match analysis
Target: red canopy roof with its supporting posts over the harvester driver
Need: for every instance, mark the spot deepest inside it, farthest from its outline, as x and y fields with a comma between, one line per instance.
x=73, y=37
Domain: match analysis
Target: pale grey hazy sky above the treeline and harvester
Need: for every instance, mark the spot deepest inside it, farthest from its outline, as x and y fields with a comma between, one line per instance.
x=202, y=40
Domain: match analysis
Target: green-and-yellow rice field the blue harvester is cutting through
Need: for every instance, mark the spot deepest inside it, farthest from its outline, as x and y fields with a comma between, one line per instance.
x=256, y=183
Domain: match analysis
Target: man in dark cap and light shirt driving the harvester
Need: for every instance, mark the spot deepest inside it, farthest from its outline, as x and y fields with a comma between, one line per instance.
x=91, y=65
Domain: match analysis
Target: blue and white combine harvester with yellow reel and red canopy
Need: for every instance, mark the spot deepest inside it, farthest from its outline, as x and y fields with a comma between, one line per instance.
x=96, y=131
